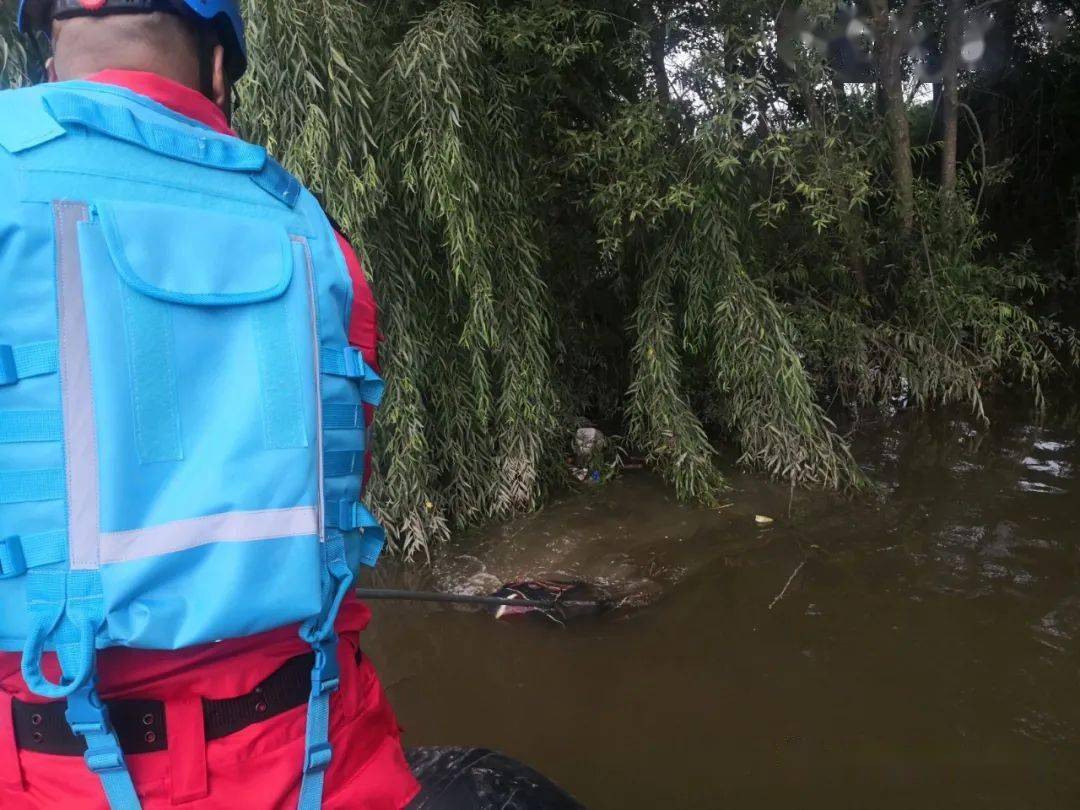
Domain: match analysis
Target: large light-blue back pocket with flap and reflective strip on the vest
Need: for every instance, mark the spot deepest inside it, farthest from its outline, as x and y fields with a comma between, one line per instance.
x=201, y=332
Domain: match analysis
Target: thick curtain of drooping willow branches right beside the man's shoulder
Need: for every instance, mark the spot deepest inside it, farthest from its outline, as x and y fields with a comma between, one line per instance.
x=411, y=136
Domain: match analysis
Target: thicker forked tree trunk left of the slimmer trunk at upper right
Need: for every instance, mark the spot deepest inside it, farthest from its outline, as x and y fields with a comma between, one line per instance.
x=890, y=40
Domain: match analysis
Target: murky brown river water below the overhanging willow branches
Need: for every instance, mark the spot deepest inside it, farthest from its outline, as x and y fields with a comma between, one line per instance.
x=926, y=654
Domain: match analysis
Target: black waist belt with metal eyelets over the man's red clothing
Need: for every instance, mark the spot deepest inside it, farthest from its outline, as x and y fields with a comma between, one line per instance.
x=141, y=724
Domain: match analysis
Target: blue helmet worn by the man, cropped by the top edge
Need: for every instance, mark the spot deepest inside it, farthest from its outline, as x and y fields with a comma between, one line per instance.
x=36, y=16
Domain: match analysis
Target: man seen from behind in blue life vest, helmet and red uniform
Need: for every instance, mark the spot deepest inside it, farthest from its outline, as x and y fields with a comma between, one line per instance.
x=186, y=374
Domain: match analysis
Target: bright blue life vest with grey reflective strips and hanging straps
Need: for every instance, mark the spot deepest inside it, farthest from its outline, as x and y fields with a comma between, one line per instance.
x=182, y=418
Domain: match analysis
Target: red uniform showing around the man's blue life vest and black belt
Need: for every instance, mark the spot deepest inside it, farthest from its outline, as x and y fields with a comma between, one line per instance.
x=261, y=766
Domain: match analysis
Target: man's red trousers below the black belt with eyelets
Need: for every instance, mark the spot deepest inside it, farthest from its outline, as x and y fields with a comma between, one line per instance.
x=258, y=768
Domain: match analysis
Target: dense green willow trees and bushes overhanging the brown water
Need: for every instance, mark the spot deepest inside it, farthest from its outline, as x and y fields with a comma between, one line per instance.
x=700, y=224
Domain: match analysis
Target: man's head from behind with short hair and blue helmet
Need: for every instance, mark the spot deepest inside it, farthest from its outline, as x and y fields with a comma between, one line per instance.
x=199, y=44
